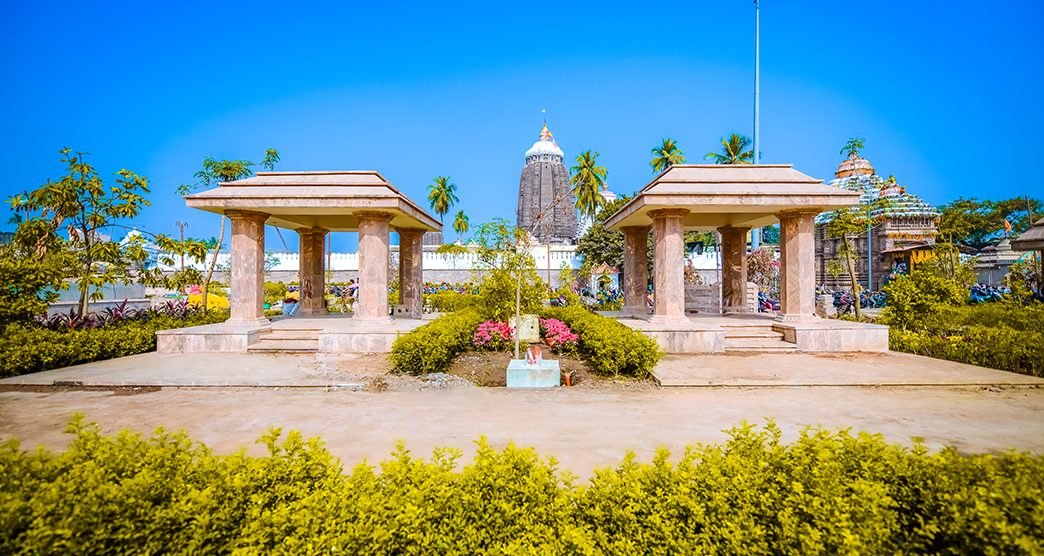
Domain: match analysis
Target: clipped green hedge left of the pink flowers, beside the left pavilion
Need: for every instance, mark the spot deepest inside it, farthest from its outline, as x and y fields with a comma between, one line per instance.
x=433, y=347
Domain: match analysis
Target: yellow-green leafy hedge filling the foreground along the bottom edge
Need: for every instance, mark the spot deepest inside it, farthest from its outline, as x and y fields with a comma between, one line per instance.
x=826, y=494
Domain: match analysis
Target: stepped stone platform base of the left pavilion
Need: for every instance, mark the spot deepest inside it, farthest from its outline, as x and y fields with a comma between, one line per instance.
x=326, y=334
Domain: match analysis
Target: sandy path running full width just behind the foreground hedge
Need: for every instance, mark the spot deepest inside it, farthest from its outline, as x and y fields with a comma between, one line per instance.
x=583, y=429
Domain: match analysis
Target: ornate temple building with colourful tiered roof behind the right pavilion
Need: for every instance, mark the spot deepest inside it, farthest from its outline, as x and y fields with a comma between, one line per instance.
x=905, y=238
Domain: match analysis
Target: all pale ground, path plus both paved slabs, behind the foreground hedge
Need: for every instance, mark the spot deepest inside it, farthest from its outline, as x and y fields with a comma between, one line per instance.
x=583, y=428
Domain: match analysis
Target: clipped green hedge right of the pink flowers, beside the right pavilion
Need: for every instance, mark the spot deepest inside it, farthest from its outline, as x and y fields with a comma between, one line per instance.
x=609, y=347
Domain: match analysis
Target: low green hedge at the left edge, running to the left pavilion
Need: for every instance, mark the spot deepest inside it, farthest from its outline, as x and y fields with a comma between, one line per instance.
x=32, y=349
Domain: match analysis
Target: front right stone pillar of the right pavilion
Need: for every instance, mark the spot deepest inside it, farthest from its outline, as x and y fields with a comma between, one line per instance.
x=797, y=265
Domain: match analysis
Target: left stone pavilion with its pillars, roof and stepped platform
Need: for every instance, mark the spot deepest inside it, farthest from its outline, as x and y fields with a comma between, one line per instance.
x=314, y=205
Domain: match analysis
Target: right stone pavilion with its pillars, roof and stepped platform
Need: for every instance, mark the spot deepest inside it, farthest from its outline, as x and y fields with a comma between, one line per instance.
x=732, y=200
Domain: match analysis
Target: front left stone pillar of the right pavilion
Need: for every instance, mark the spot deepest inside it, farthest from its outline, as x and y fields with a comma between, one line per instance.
x=669, y=267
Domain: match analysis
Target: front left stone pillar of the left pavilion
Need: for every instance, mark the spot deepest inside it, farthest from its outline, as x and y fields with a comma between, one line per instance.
x=247, y=289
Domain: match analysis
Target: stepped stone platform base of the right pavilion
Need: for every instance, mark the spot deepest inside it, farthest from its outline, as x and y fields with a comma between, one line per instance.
x=761, y=333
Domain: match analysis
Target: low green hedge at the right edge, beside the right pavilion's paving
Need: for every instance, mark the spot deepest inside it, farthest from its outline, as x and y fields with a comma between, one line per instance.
x=999, y=347
